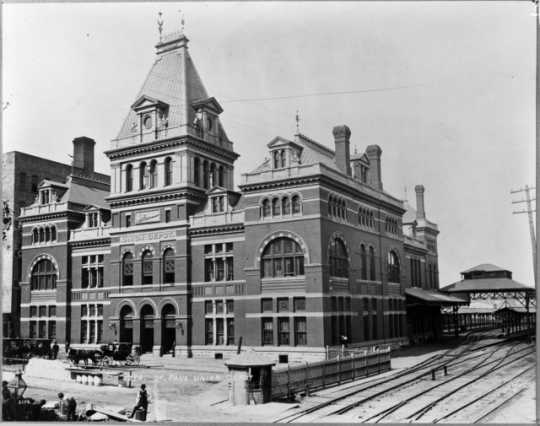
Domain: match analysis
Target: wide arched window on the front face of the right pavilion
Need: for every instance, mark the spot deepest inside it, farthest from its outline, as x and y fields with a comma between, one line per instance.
x=282, y=257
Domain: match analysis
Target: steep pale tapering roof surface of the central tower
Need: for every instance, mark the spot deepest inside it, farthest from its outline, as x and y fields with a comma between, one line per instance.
x=173, y=80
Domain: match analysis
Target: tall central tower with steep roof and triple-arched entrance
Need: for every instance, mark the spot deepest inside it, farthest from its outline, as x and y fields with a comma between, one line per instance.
x=170, y=152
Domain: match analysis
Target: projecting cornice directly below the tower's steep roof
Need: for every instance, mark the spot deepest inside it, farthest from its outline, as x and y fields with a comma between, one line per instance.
x=160, y=145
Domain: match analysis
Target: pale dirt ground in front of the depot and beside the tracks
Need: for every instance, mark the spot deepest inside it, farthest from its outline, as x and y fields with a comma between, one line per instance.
x=197, y=390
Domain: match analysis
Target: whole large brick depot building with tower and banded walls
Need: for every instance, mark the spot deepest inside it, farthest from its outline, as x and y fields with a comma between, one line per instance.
x=169, y=256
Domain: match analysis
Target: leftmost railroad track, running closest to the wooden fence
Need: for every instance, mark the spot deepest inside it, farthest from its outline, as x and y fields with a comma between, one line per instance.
x=415, y=373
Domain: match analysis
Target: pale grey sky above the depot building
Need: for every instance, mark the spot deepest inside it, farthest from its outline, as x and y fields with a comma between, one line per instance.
x=447, y=90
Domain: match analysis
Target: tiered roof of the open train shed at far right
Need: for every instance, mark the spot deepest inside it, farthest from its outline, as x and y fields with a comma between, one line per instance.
x=487, y=278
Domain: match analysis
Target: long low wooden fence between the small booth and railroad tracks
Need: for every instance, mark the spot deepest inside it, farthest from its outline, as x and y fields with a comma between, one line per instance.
x=289, y=381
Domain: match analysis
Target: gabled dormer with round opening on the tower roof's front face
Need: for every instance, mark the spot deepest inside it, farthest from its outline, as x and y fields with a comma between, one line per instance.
x=152, y=116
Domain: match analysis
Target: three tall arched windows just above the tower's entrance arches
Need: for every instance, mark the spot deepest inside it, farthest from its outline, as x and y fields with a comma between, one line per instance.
x=147, y=268
